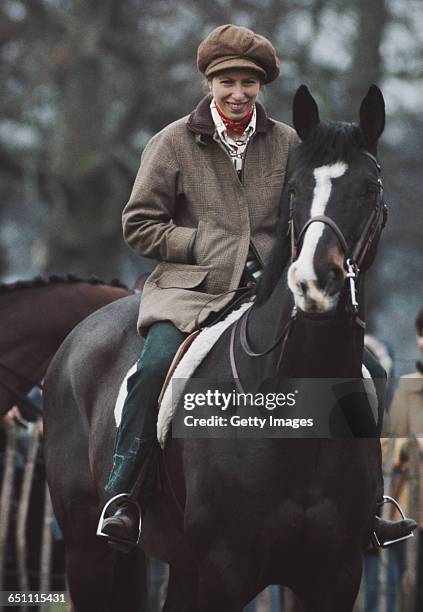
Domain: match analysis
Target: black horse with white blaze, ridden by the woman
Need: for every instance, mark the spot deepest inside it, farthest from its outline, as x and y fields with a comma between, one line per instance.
x=235, y=515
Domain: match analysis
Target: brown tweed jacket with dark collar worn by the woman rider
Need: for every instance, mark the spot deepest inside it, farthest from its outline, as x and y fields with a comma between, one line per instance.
x=186, y=184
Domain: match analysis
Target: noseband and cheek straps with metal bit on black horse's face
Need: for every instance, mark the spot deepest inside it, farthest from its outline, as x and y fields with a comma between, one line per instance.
x=353, y=258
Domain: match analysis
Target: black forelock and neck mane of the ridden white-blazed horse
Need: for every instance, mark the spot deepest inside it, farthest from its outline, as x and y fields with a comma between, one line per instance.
x=330, y=142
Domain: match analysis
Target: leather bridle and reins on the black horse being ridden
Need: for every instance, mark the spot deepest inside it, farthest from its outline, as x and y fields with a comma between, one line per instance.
x=353, y=260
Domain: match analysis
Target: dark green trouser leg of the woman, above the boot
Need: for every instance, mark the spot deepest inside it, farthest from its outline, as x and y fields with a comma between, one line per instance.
x=136, y=437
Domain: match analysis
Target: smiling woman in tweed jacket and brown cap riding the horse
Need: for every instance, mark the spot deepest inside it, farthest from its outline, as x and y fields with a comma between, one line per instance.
x=205, y=204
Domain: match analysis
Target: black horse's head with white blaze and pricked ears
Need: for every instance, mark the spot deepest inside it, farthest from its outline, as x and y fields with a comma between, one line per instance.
x=335, y=199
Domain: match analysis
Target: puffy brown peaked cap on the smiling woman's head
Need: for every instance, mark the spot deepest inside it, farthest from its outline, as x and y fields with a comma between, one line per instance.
x=231, y=46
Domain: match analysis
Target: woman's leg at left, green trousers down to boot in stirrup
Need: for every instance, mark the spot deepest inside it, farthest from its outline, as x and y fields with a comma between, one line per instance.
x=132, y=480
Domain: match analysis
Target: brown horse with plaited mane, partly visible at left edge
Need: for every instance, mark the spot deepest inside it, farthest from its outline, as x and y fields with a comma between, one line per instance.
x=36, y=316
